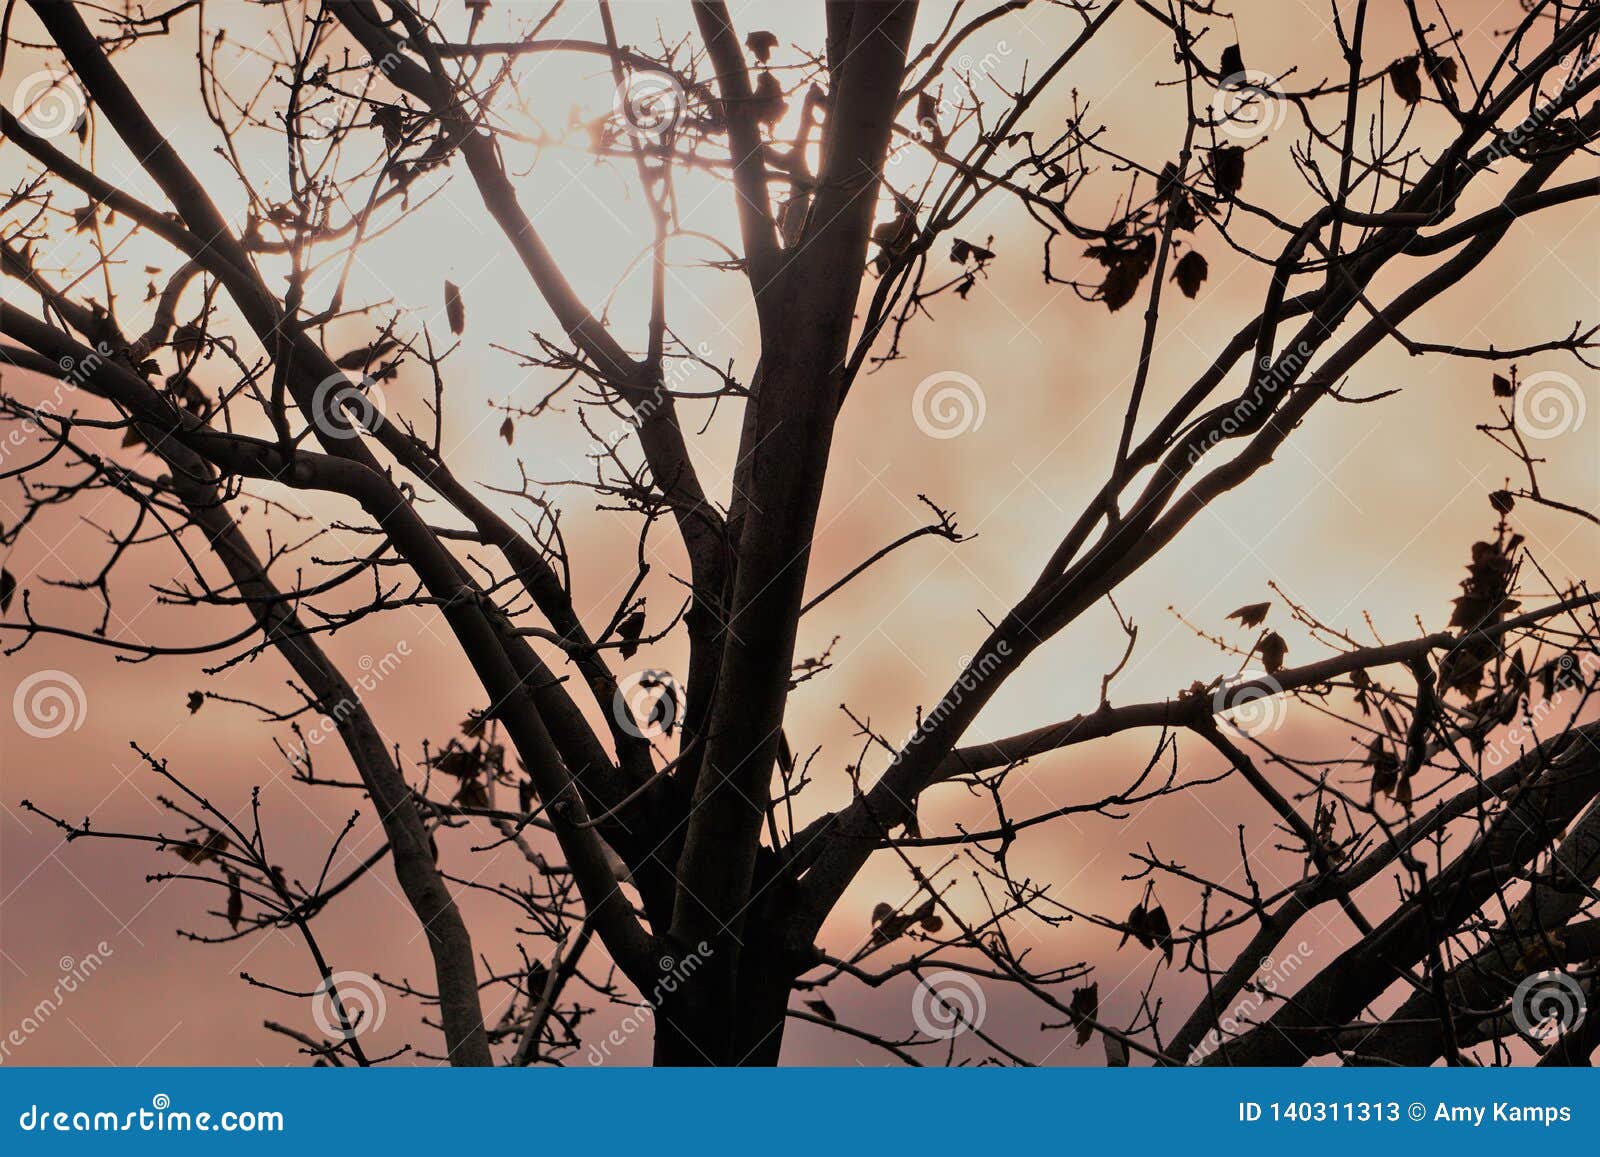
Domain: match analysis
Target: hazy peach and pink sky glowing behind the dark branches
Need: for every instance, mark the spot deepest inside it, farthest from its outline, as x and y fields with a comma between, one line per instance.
x=1366, y=518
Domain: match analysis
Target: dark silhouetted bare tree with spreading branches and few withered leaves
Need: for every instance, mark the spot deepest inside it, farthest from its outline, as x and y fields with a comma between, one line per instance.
x=673, y=859
